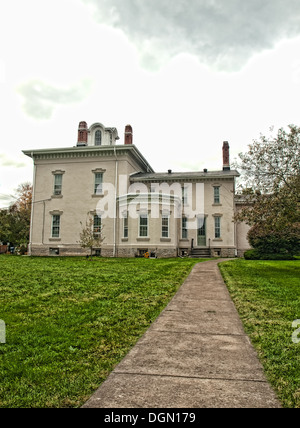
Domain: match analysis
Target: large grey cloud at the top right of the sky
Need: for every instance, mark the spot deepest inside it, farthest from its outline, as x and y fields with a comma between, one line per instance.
x=224, y=34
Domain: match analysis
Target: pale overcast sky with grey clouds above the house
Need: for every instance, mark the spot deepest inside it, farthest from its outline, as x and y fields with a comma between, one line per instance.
x=186, y=74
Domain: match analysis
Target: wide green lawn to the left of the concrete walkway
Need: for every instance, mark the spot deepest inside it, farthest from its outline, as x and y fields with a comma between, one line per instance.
x=69, y=321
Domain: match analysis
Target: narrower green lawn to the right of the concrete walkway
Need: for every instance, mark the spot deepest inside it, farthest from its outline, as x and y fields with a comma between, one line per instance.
x=267, y=296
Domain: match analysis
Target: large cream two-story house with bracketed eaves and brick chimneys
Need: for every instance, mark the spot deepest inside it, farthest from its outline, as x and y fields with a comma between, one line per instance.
x=164, y=214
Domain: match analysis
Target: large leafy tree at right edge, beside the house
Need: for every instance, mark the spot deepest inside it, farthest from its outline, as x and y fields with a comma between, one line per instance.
x=271, y=190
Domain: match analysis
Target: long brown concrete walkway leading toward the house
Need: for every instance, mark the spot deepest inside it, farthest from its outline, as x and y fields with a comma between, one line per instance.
x=195, y=355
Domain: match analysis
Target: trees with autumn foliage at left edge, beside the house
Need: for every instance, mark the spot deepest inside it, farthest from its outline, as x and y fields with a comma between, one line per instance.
x=15, y=221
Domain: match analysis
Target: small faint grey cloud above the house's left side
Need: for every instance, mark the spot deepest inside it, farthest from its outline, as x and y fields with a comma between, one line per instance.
x=41, y=99
